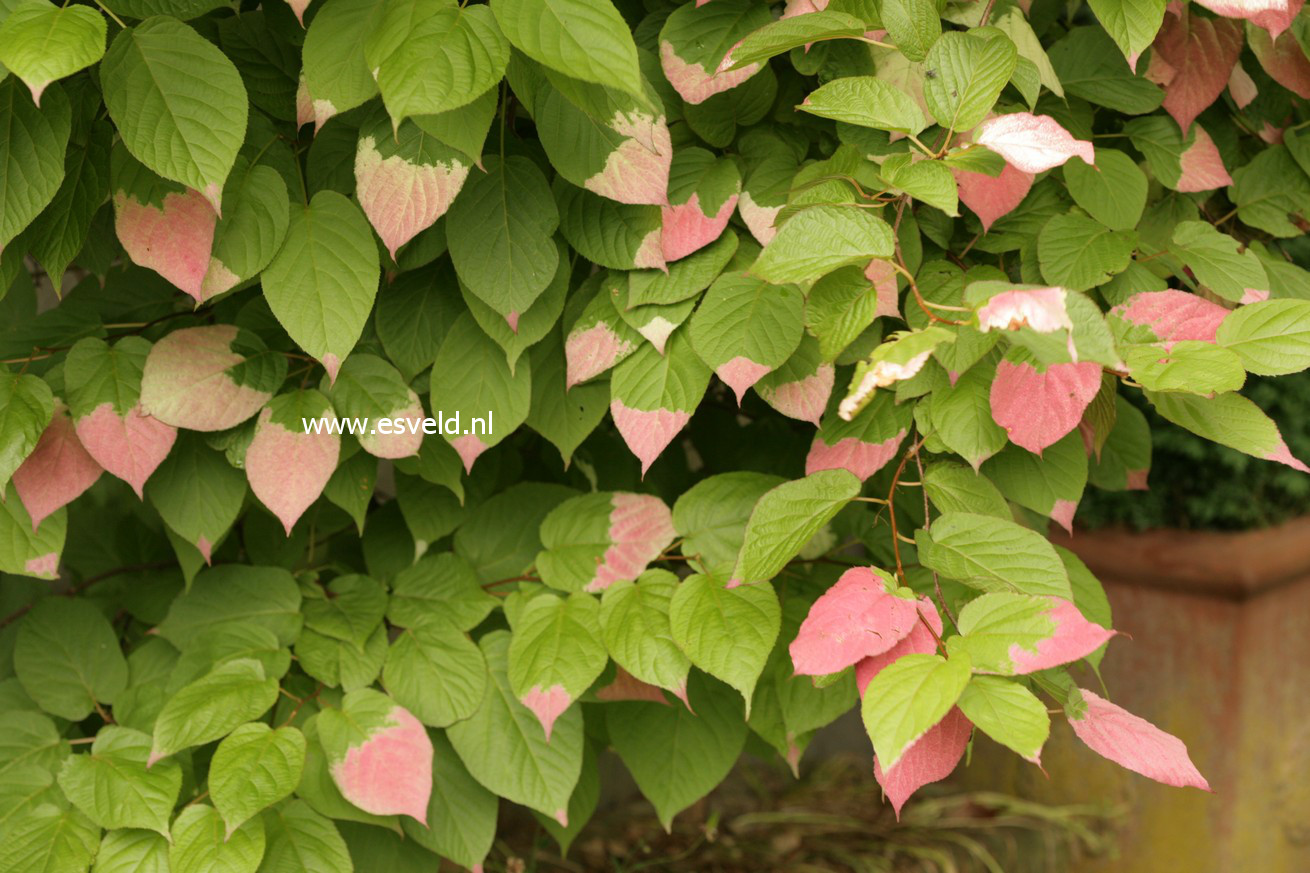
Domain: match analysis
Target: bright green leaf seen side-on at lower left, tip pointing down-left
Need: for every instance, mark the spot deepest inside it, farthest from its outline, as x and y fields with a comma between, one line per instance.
x=213, y=707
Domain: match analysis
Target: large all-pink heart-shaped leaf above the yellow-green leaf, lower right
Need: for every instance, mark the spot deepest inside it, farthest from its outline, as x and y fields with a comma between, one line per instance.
x=855, y=619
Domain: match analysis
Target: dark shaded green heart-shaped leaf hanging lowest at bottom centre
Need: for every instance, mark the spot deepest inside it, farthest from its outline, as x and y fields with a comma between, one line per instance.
x=678, y=756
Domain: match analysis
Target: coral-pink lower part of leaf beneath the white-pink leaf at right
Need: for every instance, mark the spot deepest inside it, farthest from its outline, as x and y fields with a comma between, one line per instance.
x=1037, y=410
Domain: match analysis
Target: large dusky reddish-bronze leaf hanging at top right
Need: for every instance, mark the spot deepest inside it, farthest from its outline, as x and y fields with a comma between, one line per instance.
x=1202, y=53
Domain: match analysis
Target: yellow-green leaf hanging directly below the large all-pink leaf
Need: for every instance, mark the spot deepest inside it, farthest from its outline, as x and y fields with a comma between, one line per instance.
x=908, y=698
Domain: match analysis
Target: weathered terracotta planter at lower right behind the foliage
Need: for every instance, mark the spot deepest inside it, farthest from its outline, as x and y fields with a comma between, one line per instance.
x=1219, y=626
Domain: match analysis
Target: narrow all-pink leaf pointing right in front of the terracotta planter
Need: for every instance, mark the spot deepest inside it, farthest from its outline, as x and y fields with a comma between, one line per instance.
x=1132, y=743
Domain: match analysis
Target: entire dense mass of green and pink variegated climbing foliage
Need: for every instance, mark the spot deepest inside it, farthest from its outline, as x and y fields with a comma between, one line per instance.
x=724, y=307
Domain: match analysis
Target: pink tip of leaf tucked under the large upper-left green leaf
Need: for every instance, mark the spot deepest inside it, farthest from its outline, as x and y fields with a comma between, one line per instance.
x=174, y=239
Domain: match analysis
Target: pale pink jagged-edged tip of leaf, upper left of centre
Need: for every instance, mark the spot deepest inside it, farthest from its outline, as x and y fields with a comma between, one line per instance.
x=402, y=199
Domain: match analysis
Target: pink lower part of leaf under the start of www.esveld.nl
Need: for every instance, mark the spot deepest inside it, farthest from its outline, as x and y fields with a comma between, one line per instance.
x=289, y=470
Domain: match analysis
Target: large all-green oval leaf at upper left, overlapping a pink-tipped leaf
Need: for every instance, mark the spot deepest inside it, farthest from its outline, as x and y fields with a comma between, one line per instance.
x=178, y=102
